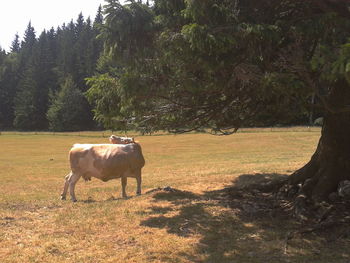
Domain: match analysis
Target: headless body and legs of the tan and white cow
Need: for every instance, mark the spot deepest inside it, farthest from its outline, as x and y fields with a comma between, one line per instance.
x=105, y=162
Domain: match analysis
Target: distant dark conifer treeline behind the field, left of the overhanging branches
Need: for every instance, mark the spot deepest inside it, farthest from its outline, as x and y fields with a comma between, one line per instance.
x=42, y=78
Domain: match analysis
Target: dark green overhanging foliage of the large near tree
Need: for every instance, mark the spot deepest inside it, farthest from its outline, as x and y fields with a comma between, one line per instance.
x=188, y=65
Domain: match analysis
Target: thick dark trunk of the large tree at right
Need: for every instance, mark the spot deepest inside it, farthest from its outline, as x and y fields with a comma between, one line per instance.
x=330, y=163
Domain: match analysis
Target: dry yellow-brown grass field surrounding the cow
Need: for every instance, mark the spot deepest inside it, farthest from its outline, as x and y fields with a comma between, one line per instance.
x=195, y=222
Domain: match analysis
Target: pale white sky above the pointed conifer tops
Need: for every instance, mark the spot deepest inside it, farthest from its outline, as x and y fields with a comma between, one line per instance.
x=43, y=14
